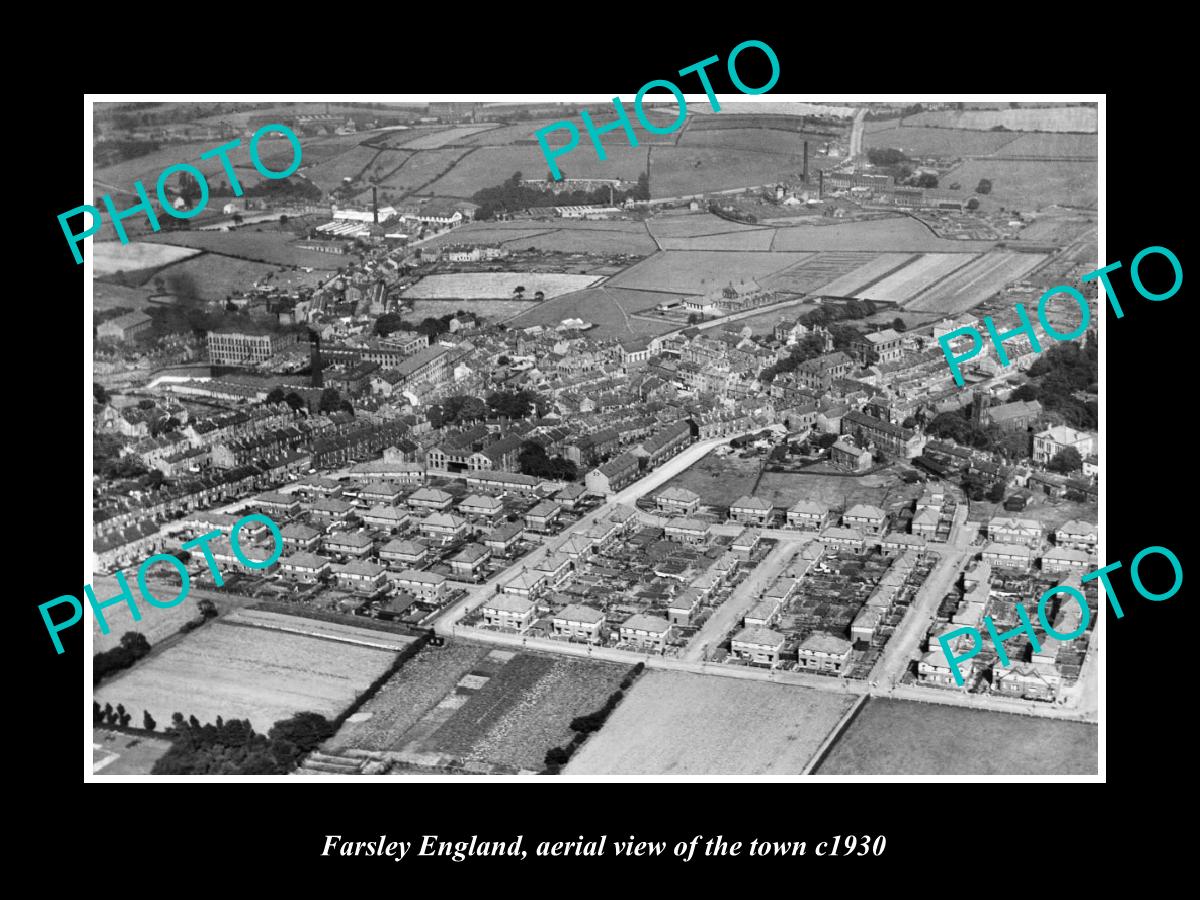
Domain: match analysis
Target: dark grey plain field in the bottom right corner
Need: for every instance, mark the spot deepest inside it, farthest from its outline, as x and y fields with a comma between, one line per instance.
x=892, y=737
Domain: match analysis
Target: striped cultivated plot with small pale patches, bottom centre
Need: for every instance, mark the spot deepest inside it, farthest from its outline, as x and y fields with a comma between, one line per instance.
x=472, y=705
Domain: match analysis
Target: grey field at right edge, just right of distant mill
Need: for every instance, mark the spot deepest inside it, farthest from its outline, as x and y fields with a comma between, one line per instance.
x=1029, y=187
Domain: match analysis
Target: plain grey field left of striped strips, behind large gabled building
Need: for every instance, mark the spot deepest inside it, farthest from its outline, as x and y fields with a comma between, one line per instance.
x=683, y=272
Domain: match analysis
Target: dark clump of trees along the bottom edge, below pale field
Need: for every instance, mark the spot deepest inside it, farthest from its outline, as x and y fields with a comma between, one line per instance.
x=235, y=748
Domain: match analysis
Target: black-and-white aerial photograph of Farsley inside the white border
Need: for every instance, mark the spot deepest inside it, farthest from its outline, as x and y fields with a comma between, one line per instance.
x=752, y=449
